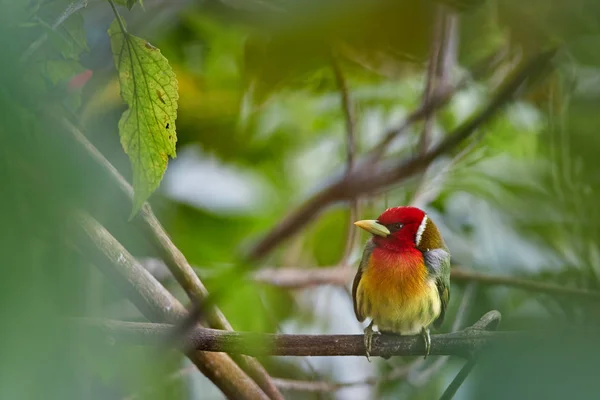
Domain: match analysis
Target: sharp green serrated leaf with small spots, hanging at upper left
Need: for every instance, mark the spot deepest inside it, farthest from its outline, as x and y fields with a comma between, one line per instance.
x=147, y=127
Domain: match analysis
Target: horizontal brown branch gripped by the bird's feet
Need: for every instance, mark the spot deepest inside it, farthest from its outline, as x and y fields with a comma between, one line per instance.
x=460, y=344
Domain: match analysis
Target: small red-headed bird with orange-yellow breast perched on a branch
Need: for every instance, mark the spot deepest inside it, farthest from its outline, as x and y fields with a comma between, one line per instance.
x=403, y=281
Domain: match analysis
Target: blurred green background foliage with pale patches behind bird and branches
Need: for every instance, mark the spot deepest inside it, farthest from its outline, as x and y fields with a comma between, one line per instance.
x=260, y=129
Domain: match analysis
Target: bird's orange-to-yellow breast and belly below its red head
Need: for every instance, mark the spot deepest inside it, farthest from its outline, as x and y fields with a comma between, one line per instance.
x=397, y=295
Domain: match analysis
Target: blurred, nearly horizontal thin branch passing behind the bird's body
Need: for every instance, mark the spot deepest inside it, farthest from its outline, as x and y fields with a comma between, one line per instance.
x=302, y=278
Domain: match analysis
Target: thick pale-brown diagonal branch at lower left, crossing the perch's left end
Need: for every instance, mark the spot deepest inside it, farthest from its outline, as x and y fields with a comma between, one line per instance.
x=156, y=303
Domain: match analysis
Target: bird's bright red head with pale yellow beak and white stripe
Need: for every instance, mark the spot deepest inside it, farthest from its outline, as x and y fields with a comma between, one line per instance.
x=398, y=228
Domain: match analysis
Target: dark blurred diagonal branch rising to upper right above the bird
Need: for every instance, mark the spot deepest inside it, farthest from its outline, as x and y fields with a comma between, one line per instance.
x=369, y=178
